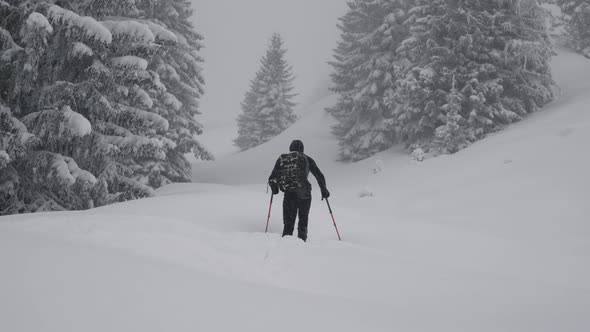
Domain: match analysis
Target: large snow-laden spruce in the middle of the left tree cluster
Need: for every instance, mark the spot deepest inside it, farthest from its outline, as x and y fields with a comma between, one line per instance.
x=101, y=72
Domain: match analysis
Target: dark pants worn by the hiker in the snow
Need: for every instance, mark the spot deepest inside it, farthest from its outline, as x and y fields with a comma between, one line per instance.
x=293, y=205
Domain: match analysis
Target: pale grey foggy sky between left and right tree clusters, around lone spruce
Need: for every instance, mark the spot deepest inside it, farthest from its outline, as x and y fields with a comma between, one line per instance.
x=236, y=34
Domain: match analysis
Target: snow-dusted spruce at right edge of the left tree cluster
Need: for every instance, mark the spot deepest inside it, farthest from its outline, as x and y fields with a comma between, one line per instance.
x=176, y=61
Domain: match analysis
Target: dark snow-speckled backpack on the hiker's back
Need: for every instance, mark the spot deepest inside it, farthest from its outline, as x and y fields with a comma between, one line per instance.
x=293, y=171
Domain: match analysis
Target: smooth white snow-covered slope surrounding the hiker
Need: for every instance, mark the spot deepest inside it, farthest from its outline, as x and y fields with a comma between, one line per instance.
x=494, y=238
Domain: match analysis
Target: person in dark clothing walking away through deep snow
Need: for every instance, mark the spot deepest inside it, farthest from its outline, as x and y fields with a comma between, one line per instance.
x=290, y=176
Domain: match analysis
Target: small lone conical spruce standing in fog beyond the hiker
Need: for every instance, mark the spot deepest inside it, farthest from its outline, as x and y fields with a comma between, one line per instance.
x=268, y=106
